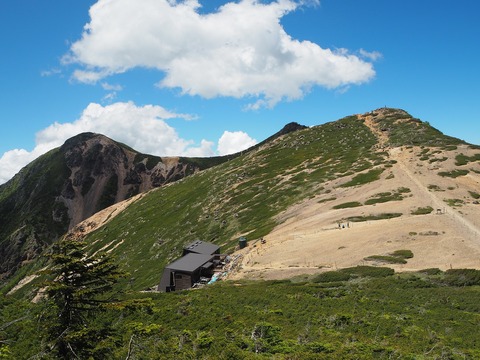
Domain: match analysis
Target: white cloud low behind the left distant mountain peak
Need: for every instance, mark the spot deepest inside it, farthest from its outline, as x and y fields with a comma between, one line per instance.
x=144, y=128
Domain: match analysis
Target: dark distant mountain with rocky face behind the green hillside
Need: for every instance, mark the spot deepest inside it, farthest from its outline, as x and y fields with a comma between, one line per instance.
x=67, y=185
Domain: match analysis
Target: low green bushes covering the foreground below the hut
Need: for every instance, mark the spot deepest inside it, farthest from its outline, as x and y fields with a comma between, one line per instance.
x=375, y=314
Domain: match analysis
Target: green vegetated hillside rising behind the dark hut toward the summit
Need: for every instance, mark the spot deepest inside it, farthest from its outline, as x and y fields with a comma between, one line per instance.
x=240, y=197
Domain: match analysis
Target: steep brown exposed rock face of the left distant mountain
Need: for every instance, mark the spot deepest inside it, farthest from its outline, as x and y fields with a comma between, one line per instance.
x=103, y=172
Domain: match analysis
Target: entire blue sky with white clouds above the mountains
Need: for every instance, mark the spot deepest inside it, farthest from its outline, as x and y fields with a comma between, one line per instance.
x=202, y=77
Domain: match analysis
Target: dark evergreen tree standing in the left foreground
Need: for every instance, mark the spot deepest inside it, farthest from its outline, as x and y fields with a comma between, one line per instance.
x=80, y=288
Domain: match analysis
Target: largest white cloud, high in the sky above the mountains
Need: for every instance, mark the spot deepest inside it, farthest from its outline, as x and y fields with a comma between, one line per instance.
x=240, y=50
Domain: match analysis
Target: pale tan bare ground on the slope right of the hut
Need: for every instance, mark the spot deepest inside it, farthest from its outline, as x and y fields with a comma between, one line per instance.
x=309, y=239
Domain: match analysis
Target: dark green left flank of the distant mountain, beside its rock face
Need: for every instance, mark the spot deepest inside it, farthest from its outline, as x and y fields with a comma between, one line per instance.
x=30, y=219
